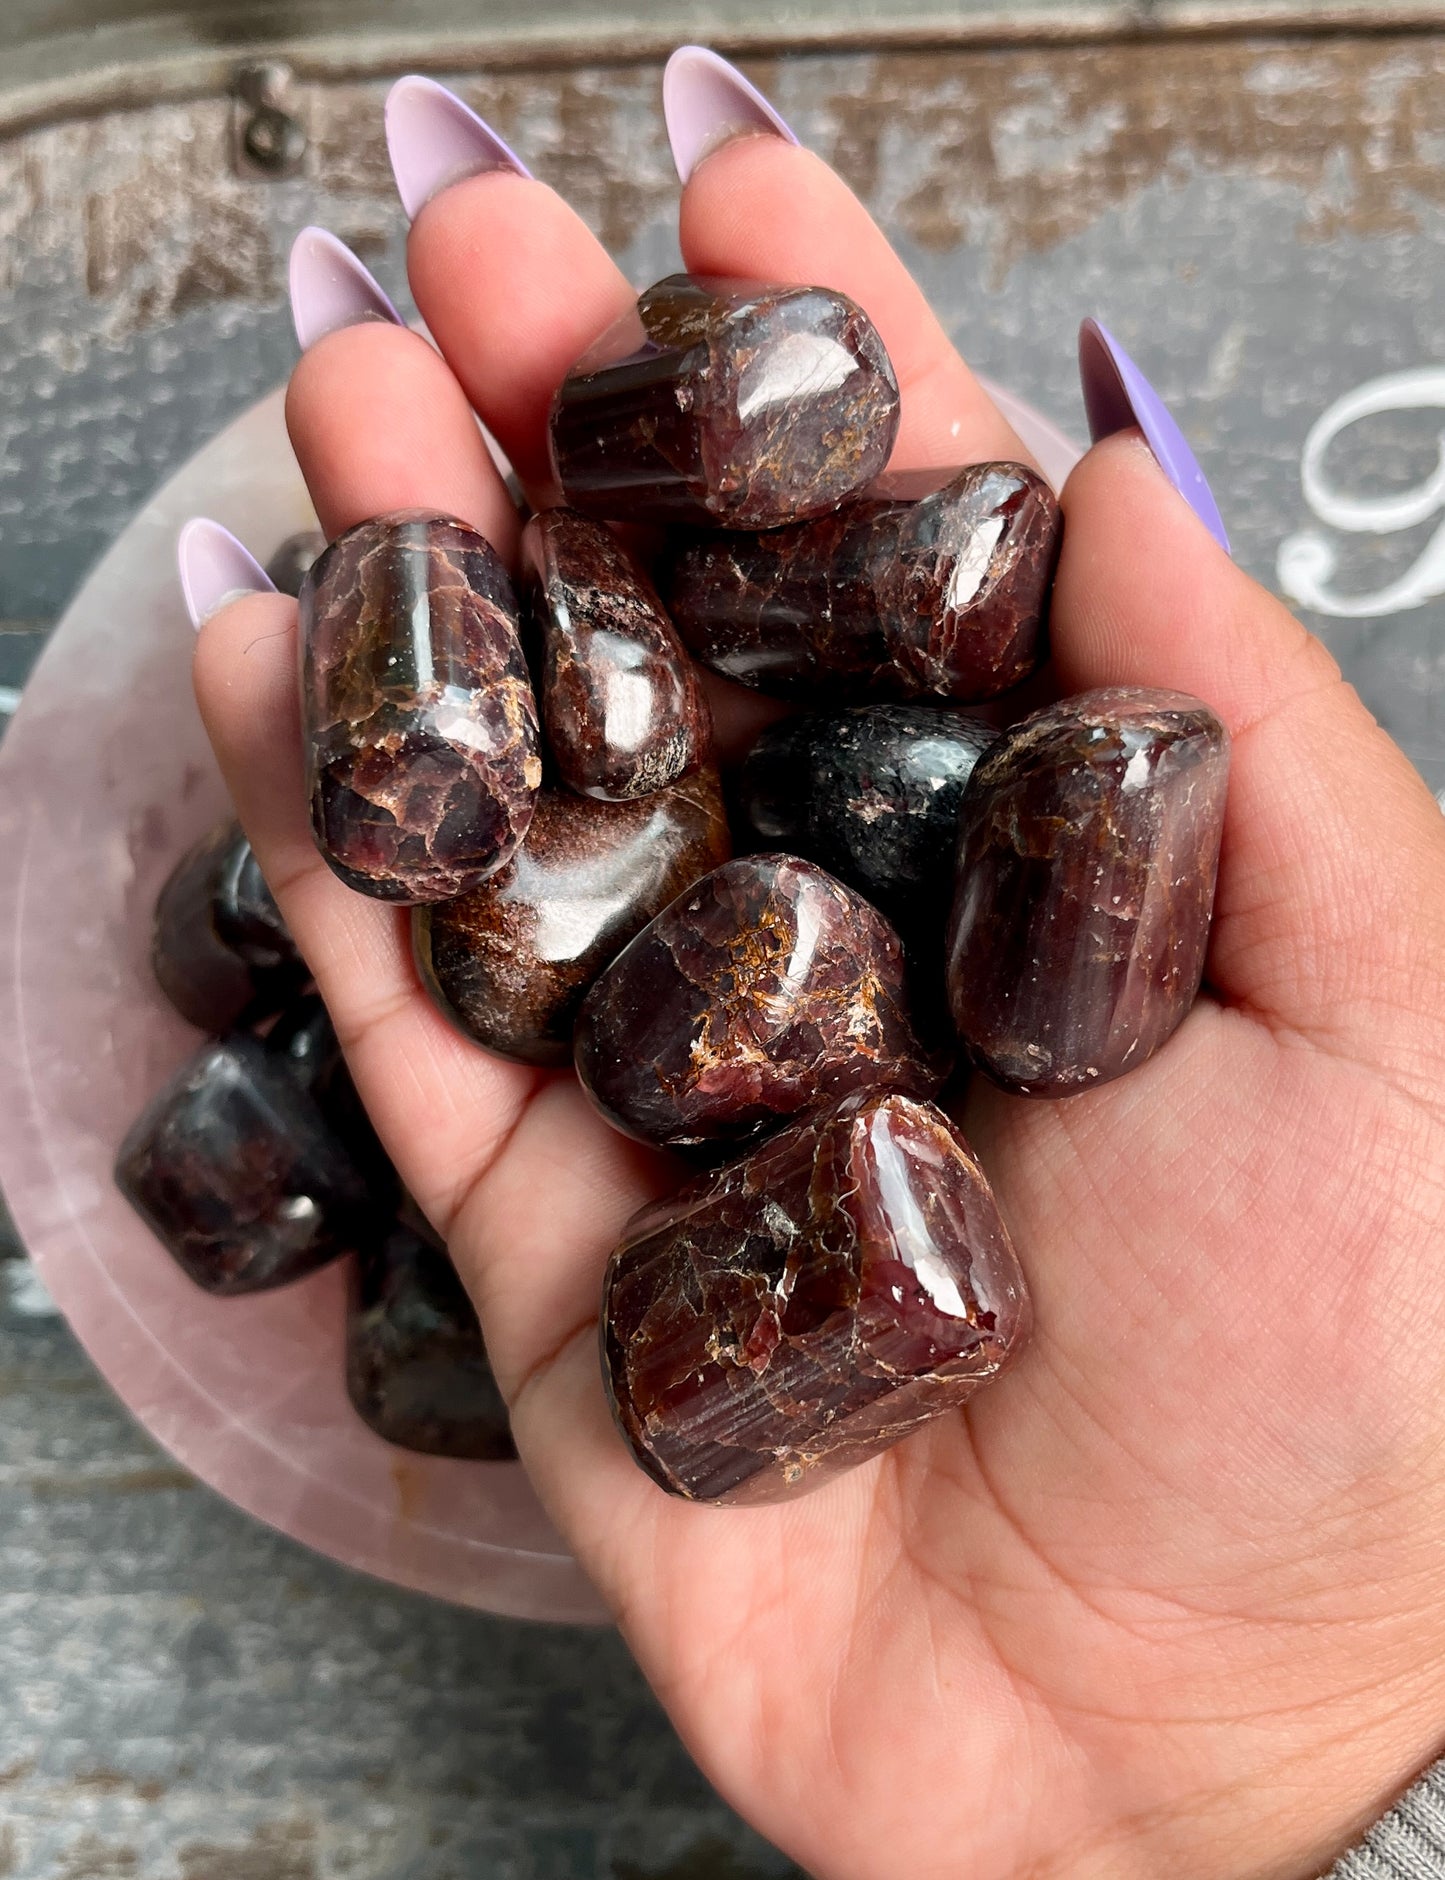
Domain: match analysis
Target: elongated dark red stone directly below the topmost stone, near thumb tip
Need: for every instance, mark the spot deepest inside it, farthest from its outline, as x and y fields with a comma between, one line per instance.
x=914, y=591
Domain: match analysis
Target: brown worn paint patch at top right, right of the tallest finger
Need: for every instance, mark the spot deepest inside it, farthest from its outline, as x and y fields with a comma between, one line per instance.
x=1021, y=151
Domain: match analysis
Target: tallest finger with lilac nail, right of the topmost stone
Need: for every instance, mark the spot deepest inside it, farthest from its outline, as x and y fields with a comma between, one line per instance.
x=762, y=208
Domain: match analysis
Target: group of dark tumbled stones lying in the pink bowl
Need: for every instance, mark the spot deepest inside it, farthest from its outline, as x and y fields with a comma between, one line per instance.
x=256, y=1165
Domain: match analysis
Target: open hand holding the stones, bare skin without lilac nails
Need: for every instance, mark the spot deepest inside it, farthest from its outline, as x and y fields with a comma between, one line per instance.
x=1168, y=1601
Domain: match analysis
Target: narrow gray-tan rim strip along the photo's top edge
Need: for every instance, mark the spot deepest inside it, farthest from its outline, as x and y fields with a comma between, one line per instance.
x=59, y=55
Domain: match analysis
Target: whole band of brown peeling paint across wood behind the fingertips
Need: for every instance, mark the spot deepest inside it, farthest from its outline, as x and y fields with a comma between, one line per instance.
x=1008, y=151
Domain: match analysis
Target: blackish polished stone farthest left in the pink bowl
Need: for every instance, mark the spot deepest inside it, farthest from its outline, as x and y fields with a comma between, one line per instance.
x=240, y=1174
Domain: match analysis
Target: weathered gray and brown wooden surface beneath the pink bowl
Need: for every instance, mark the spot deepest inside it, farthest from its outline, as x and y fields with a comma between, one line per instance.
x=1262, y=223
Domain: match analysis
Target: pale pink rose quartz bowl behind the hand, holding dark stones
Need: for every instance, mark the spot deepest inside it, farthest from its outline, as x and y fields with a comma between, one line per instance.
x=106, y=777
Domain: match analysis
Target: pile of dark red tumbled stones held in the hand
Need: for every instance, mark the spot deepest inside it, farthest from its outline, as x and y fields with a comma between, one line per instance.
x=920, y=885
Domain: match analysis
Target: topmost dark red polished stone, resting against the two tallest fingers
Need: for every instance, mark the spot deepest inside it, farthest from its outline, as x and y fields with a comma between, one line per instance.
x=728, y=403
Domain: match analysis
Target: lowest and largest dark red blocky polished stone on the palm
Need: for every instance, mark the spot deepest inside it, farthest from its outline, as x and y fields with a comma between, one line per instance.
x=801, y=1311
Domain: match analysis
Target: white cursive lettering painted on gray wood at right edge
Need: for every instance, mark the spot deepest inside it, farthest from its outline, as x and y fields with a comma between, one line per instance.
x=1307, y=559
